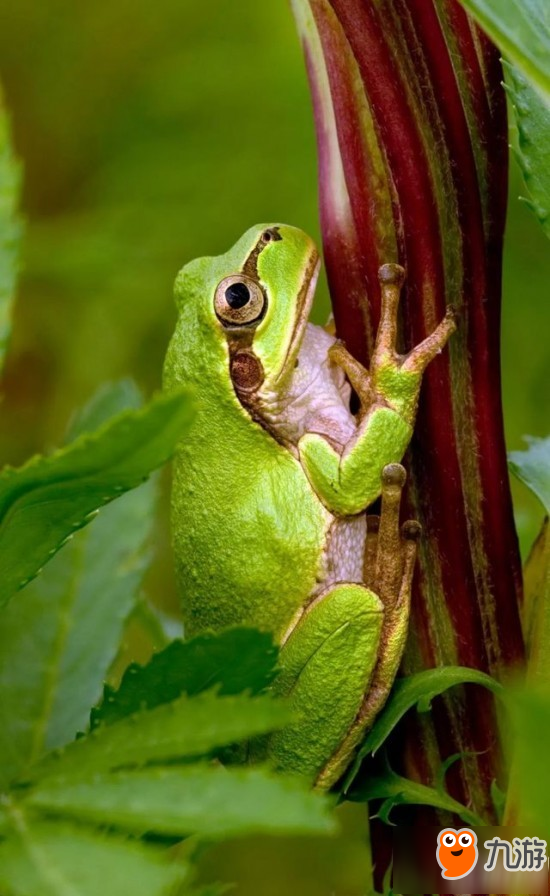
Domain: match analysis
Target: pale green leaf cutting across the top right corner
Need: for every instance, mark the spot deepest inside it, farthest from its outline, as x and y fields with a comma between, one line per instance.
x=521, y=28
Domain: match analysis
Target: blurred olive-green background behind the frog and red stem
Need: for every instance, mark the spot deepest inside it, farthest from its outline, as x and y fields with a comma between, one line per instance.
x=150, y=134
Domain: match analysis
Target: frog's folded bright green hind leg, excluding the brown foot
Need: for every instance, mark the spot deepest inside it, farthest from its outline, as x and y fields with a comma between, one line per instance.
x=327, y=663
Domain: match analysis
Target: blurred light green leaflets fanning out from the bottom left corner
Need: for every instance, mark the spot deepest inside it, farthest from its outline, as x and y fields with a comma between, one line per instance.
x=149, y=773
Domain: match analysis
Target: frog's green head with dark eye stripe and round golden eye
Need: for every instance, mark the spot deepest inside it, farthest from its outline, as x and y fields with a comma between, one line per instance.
x=256, y=300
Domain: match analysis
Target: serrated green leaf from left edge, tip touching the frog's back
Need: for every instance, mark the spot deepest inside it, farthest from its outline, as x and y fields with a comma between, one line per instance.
x=47, y=500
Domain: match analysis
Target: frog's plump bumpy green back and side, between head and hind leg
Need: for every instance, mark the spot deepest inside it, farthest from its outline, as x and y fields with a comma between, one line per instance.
x=248, y=531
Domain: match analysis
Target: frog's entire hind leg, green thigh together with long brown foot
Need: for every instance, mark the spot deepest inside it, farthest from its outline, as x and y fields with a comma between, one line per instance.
x=340, y=658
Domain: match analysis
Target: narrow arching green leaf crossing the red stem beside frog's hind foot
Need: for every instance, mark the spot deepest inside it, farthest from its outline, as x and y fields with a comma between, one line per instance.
x=420, y=689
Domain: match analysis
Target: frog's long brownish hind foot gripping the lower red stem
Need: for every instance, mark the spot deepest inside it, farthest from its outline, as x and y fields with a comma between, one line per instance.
x=390, y=555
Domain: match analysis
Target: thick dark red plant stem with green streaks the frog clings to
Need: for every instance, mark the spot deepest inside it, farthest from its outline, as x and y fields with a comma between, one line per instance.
x=412, y=140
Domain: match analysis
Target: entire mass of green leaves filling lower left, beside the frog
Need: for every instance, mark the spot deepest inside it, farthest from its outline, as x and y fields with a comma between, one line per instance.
x=69, y=819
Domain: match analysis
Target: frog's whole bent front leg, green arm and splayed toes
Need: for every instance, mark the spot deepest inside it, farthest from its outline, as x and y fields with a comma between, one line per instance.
x=349, y=481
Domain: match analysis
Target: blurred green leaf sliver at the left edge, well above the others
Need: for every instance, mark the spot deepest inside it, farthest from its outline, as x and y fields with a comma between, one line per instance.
x=10, y=227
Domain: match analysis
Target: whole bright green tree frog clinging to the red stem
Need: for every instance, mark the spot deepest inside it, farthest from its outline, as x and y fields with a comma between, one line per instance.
x=272, y=486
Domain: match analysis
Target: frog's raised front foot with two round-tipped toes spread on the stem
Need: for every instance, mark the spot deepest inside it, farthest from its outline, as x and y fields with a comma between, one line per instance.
x=397, y=377
